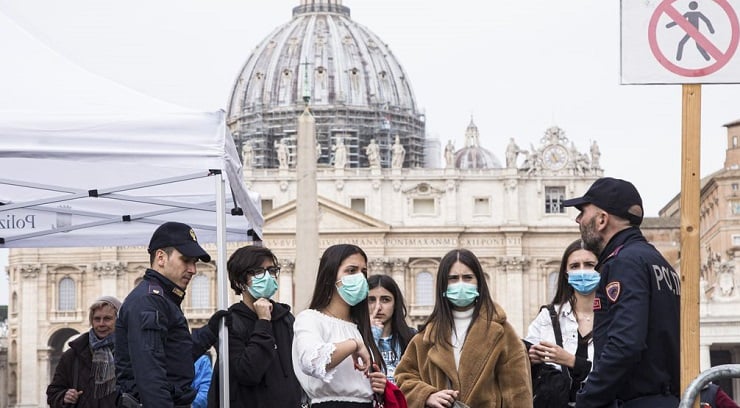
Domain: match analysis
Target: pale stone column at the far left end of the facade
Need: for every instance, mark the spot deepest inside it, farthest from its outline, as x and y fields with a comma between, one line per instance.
x=28, y=312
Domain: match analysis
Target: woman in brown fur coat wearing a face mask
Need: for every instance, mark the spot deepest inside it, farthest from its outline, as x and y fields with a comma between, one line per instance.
x=467, y=351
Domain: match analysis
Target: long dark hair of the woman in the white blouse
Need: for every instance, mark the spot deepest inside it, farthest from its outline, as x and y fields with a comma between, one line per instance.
x=326, y=279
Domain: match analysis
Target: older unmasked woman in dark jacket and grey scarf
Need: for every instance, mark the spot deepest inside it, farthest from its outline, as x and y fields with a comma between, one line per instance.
x=86, y=374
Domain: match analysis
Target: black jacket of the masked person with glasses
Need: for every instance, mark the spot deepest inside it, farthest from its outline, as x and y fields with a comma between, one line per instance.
x=260, y=360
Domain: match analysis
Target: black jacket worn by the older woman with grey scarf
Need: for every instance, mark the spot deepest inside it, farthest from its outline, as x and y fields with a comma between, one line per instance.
x=79, y=349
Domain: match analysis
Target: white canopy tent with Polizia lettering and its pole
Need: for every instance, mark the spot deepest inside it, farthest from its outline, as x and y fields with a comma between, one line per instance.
x=87, y=162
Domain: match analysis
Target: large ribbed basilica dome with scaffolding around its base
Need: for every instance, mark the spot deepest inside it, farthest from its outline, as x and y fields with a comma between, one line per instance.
x=357, y=89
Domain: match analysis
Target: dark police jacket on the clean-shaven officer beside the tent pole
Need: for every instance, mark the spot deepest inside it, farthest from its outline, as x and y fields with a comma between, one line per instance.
x=154, y=348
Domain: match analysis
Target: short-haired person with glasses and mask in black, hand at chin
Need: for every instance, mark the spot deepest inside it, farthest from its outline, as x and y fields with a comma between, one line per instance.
x=260, y=336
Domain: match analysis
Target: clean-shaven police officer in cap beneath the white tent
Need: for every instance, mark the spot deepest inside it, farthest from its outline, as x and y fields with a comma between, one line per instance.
x=155, y=350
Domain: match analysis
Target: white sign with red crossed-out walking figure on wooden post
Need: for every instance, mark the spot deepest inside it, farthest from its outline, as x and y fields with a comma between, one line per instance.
x=680, y=41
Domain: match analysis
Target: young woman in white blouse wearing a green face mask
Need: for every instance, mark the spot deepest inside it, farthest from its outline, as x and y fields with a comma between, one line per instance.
x=334, y=355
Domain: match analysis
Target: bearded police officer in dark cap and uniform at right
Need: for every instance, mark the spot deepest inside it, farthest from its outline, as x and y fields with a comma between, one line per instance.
x=637, y=304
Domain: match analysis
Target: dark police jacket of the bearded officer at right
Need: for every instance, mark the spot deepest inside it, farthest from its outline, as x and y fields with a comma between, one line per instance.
x=636, y=324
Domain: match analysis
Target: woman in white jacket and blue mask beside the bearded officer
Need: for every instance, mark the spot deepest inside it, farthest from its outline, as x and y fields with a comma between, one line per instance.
x=573, y=302
